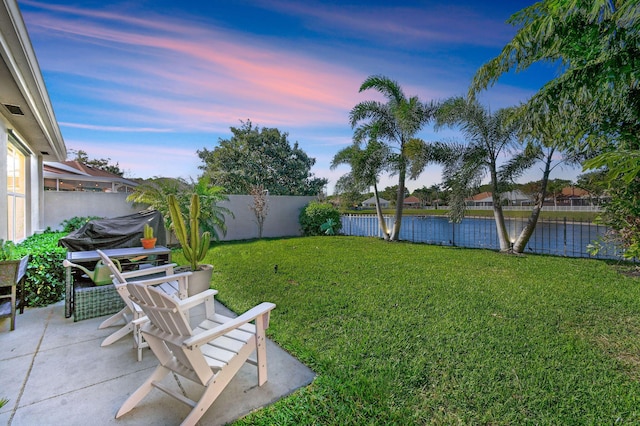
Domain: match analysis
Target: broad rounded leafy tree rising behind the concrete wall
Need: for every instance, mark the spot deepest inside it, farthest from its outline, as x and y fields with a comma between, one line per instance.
x=254, y=156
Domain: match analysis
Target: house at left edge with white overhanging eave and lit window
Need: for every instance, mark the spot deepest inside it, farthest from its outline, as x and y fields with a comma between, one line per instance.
x=29, y=132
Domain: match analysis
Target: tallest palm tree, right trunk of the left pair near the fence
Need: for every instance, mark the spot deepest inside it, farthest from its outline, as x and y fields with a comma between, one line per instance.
x=395, y=123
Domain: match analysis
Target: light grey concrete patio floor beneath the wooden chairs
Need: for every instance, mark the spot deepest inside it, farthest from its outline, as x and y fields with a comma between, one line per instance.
x=53, y=372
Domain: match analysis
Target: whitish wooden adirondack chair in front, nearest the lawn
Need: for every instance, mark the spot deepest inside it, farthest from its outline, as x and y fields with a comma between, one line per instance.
x=209, y=354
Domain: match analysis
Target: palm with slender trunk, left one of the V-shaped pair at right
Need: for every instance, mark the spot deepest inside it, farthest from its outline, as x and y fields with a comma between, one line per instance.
x=489, y=136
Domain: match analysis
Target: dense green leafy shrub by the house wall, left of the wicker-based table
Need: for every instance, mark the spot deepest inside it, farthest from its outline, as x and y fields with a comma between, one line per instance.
x=45, y=282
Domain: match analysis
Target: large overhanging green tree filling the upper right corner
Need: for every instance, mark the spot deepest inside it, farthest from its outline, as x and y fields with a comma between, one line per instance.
x=597, y=43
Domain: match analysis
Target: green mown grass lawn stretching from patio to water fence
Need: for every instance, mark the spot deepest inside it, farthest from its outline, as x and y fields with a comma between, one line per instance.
x=403, y=333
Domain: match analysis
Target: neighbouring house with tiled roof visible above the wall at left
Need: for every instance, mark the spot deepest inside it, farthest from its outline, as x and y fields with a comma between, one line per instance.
x=76, y=176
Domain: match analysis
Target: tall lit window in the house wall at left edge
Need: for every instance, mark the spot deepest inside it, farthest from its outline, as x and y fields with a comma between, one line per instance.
x=16, y=193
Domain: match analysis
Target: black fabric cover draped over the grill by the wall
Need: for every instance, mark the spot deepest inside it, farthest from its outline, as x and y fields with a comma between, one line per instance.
x=117, y=232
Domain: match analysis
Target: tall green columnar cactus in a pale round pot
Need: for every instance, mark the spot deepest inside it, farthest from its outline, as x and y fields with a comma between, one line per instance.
x=194, y=245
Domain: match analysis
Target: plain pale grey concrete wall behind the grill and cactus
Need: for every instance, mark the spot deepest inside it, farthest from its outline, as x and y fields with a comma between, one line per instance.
x=281, y=220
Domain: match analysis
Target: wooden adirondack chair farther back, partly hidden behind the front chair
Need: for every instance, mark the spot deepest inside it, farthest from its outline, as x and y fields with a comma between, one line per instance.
x=160, y=276
